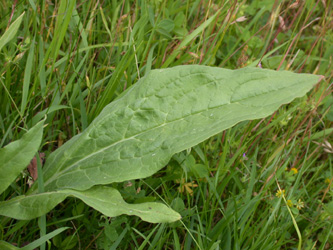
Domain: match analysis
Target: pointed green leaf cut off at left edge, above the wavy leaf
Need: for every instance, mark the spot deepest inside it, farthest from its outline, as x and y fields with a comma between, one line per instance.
x=16, y=156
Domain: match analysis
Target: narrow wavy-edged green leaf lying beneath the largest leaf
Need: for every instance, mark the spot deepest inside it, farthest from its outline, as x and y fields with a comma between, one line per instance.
x=107, y=200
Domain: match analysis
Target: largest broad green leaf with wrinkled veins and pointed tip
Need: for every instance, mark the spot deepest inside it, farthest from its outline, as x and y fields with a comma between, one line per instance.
x=167, y=111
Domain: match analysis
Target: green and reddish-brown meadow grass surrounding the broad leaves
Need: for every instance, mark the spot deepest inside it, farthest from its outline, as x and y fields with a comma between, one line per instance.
x=69, y=60
